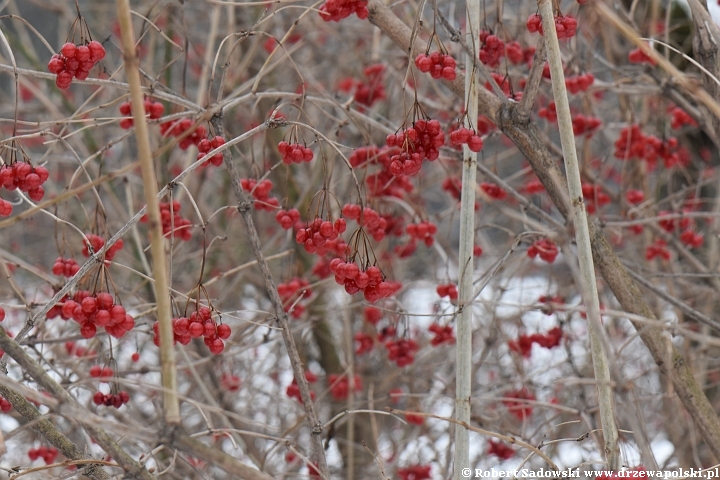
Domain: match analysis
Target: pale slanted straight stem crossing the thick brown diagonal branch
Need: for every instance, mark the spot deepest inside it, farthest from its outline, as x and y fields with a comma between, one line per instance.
x=582, y=237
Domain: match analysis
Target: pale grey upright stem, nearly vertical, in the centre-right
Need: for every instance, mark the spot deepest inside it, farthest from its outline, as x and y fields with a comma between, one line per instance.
x=463, y=354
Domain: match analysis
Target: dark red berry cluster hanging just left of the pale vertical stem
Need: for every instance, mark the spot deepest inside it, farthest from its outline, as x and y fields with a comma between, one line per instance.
x=416, y=143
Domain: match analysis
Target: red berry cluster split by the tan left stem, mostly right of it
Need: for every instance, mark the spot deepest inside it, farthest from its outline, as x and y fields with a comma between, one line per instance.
x=199, y=324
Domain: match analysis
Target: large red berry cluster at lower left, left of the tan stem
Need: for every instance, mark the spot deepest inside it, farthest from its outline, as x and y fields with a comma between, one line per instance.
x=98, y=310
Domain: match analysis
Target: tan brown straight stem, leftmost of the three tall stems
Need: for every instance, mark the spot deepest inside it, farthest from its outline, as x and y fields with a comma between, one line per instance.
x=157, y=247
